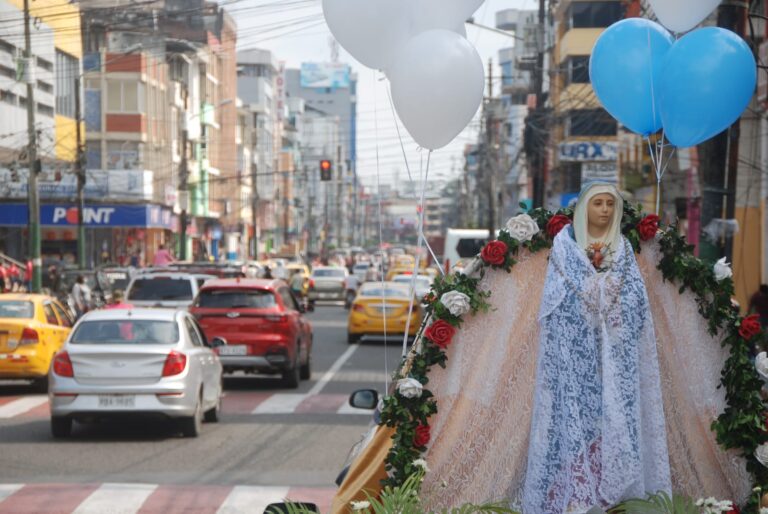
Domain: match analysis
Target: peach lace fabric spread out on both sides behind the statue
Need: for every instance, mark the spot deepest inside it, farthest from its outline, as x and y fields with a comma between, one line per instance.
x=480, y=436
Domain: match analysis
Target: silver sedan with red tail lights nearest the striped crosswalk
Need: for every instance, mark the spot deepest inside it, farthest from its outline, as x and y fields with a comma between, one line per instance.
x=132, y=363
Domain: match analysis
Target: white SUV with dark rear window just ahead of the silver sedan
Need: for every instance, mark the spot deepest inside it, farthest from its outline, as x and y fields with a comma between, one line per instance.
x=168, y=289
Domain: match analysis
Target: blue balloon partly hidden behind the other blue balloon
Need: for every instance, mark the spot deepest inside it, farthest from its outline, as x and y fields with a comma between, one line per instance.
x=625, y=69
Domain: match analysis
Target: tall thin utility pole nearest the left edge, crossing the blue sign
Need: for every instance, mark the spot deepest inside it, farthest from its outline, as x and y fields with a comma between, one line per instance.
x=33, y=197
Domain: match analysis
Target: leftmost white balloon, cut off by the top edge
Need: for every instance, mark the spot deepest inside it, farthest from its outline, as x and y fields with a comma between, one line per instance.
x=370, y=30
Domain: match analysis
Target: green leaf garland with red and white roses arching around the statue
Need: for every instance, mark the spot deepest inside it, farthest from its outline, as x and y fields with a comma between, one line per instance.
x=744, y=423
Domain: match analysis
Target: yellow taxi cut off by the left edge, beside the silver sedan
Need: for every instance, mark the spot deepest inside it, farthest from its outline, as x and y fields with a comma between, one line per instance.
x=33, y=328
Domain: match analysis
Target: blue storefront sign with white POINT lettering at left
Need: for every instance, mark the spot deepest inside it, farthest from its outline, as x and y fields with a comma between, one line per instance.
x=94, y=216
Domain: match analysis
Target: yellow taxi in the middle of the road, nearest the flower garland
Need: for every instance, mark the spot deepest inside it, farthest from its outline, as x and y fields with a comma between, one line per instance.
x=379, y=306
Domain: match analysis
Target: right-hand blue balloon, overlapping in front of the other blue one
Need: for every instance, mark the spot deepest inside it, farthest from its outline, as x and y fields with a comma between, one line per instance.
x=708, y=80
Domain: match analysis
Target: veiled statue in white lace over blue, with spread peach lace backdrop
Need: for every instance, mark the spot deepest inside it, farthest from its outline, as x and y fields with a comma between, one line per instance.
x=590, y=381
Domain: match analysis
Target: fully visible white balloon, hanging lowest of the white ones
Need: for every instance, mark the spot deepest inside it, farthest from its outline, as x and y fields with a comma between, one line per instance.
x=437, y=86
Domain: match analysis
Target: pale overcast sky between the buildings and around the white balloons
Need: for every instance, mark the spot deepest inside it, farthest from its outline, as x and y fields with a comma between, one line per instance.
x=295, y=32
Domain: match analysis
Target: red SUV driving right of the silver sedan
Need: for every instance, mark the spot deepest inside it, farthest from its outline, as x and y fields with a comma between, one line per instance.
x=262, y=324
